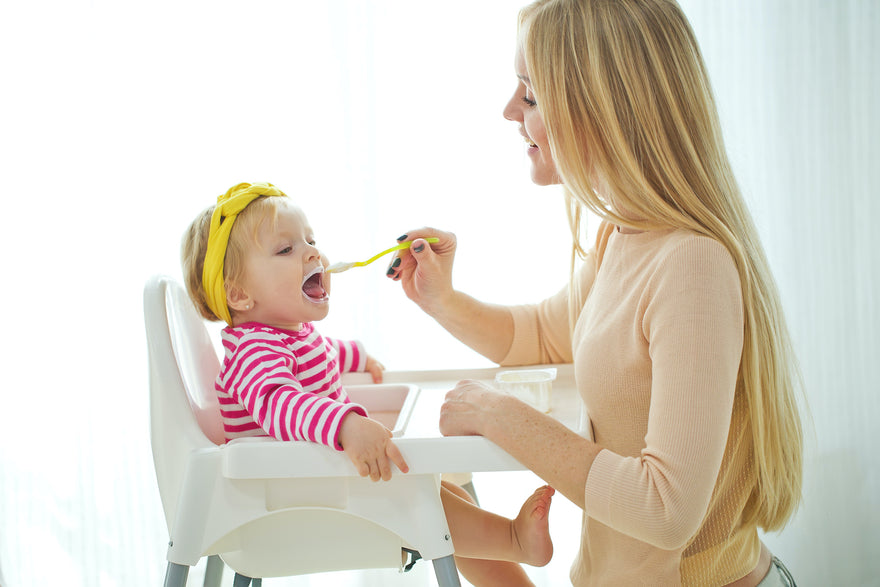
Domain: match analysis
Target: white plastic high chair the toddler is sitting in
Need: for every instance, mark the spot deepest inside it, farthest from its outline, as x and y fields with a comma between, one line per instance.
x=268, y=508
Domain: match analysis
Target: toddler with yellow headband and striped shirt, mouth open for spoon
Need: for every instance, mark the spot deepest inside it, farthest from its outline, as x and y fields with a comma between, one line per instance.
x=251, y=261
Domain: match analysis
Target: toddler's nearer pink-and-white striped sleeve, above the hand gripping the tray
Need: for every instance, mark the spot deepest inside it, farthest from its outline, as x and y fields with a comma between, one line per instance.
x=260, y=377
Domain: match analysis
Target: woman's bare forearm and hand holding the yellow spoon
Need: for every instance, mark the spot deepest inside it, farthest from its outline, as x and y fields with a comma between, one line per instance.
x=425, y=272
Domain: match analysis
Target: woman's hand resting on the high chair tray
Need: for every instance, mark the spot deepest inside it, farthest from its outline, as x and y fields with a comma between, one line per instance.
x=470, y=409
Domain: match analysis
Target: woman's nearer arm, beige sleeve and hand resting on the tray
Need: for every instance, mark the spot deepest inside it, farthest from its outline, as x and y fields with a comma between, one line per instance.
x=693, y=323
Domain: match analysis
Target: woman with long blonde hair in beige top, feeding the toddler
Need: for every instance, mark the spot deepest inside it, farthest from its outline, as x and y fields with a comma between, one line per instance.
x=672, y=320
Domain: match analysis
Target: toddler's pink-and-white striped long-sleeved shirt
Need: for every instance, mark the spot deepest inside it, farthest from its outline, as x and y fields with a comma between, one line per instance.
x=286, y=384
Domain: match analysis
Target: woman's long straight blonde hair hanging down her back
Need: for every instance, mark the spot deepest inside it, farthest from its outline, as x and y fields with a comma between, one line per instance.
x=626, y=100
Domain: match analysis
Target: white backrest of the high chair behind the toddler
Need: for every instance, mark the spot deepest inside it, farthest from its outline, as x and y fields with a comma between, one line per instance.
x=184, y=410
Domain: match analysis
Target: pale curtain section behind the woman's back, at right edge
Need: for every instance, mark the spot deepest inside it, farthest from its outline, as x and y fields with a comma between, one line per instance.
x=797, y=86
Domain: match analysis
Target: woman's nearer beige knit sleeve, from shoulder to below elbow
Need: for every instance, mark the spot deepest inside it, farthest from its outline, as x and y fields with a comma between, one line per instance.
x=692, y=319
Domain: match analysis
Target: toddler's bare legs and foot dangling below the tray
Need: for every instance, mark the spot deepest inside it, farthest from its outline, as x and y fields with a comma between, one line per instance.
x=483, y=540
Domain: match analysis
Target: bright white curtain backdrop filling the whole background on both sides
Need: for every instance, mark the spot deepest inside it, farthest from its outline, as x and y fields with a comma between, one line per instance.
x=121, y=121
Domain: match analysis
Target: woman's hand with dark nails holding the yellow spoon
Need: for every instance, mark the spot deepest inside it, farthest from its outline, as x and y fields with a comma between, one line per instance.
x=425, y=270
